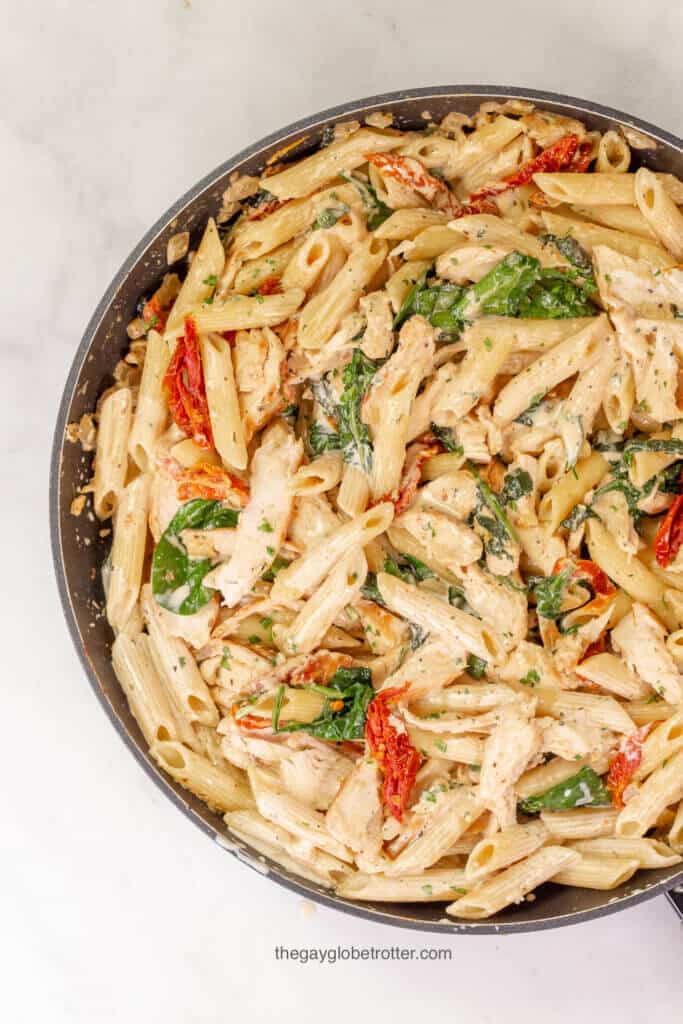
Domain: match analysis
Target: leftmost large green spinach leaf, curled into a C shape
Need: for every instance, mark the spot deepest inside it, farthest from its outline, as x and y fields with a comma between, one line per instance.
x=178, y=579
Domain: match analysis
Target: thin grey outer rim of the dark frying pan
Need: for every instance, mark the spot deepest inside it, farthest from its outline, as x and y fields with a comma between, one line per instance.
x=482, y=93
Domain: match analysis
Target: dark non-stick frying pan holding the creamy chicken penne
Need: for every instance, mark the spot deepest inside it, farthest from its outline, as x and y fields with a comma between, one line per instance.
x=78, y=550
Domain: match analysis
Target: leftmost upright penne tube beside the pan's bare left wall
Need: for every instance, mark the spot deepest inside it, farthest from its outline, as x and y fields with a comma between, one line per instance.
x=112, y=452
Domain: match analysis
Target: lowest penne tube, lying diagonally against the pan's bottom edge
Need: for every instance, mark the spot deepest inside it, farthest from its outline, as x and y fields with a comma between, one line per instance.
x=511, y=885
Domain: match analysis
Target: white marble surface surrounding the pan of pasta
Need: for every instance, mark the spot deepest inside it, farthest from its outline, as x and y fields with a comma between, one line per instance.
x=113, y=908
